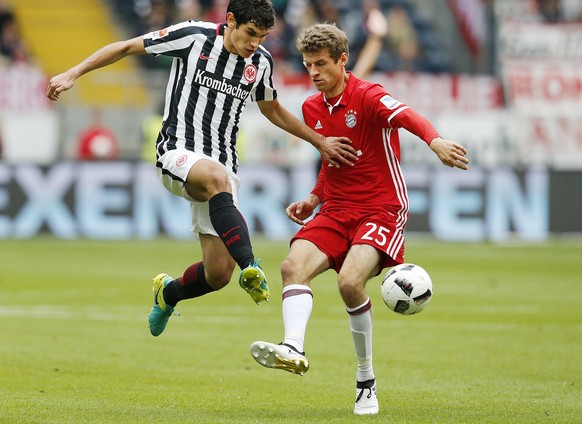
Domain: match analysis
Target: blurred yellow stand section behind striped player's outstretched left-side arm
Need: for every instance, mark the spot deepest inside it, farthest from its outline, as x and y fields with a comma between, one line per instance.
x=61, y=32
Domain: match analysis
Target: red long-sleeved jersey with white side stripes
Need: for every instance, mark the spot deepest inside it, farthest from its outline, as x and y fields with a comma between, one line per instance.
x=370, y=117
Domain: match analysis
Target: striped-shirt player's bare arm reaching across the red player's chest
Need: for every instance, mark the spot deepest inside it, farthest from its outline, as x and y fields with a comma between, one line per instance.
x=335, y=151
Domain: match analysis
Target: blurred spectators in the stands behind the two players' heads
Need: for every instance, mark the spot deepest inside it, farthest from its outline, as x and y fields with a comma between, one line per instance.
x=405, y=40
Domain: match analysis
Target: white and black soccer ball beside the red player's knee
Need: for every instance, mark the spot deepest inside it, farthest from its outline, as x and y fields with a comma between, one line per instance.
x=407, y=289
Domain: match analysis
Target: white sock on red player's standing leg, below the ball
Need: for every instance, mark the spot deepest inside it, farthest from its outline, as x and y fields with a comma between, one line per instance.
x=361, y=322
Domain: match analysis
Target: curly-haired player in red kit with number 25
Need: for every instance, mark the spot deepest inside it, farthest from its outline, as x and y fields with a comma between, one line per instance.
x=358, y=230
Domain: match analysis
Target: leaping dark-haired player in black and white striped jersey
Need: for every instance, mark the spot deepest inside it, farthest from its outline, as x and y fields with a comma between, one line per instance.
x=216, y=69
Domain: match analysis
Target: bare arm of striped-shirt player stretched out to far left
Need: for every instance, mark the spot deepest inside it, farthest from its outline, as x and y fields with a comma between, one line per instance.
x=102, y=57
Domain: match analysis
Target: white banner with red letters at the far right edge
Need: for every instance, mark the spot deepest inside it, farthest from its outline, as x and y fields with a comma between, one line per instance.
x=542, y=79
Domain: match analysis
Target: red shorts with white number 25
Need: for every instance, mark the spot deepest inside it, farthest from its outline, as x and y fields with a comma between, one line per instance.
x=335, y=232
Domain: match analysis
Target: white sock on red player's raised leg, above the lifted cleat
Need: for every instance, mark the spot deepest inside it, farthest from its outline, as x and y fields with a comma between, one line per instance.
x=297, y=306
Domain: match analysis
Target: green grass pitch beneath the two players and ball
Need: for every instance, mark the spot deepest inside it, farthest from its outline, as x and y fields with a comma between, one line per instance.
x=501, y=341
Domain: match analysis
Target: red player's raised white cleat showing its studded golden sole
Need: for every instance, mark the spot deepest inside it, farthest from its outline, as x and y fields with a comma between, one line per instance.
x=279, y=356
